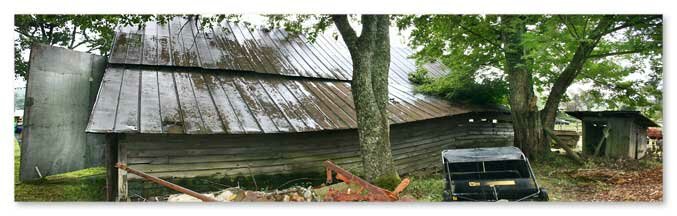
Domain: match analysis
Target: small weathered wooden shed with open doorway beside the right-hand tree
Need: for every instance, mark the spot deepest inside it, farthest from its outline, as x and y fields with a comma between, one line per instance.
x=626, y=133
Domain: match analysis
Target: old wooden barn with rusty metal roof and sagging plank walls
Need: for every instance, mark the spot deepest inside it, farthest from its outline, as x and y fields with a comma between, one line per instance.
x=178, y=102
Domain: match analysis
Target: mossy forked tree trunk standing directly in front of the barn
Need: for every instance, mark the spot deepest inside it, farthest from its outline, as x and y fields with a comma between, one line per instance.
x=370, y=53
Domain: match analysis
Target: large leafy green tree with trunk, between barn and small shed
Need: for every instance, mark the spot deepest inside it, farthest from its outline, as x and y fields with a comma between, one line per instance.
x=546, y=53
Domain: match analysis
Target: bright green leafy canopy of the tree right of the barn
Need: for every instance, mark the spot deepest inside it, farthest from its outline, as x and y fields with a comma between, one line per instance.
x=624, y=69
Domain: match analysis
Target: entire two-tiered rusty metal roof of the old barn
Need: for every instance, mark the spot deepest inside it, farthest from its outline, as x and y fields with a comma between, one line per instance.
x=172, y=79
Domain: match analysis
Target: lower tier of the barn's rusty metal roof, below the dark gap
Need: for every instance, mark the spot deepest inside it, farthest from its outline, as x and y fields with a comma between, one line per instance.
x=197, y=101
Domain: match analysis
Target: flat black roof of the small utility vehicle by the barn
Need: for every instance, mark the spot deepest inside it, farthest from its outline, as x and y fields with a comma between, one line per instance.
x=483, y=154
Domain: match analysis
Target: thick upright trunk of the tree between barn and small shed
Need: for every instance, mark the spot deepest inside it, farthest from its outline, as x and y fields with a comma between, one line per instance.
x=527, y=126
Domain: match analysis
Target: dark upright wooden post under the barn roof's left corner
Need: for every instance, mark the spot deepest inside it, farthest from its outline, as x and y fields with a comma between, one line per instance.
x=111, y=154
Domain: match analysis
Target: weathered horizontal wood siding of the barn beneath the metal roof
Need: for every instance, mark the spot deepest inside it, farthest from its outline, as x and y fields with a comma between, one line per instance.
x=415, y=146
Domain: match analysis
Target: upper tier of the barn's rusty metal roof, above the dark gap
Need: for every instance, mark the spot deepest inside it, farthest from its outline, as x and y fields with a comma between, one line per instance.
x=235, y=46
